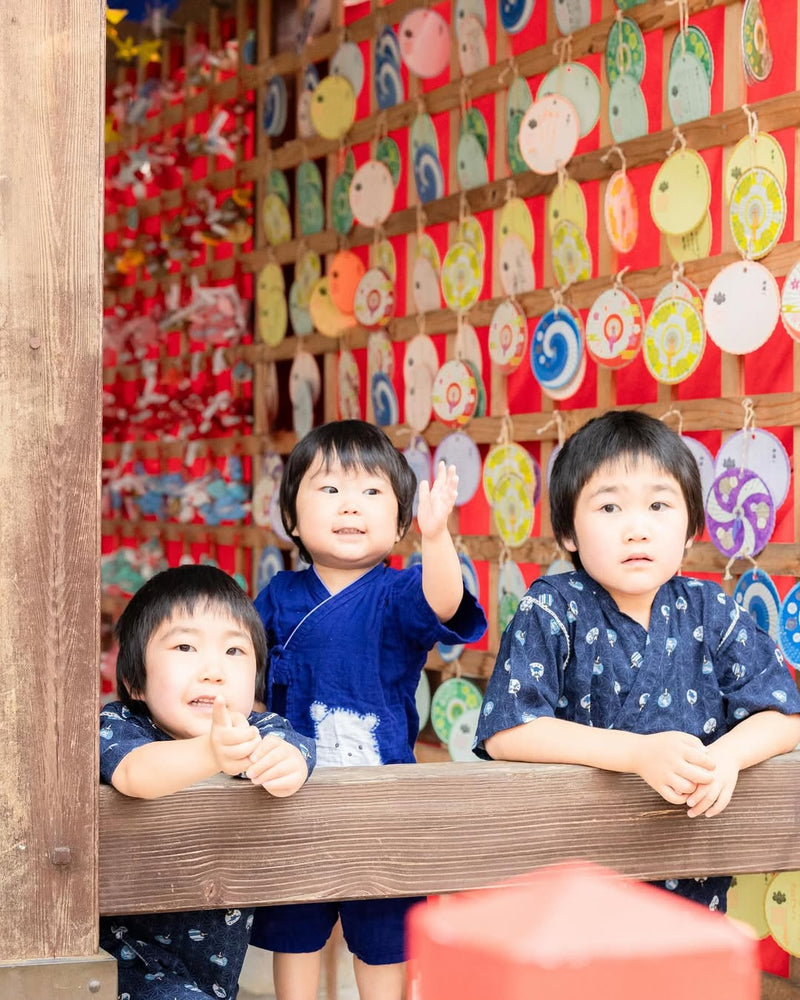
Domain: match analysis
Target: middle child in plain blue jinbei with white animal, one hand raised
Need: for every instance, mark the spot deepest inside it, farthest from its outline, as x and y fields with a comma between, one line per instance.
x=348, y=639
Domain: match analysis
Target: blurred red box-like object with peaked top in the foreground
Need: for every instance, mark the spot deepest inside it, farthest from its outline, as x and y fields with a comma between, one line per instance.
x=578, y=932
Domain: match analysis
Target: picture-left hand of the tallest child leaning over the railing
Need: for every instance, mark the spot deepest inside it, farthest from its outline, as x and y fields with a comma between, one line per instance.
x=674, y=764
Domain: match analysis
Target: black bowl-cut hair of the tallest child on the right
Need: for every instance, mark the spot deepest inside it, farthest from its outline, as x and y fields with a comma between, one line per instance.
x=620, y=434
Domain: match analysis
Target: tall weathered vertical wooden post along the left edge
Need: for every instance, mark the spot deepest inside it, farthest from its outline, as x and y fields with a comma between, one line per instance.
x=51, y=204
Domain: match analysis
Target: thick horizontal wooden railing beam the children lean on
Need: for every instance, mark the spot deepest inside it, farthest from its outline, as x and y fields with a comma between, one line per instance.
x=430, y=828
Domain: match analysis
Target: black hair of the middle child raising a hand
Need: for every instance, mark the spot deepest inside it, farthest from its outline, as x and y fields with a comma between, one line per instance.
x=355, y=444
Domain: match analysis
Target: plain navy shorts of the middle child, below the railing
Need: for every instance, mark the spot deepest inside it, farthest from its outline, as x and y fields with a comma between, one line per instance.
x=374, y=929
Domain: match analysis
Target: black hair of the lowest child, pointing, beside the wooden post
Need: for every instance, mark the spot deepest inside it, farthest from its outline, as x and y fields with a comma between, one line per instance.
x=182, y=589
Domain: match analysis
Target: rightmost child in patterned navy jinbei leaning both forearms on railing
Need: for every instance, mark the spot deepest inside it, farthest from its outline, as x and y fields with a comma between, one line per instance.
x=624, y=665
